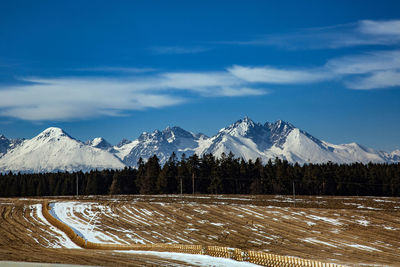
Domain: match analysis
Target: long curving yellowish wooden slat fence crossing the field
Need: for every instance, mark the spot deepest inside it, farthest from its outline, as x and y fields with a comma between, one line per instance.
x=256, y=257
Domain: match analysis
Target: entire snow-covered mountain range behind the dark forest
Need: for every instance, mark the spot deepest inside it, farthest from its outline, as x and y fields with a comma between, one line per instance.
x=54, y=150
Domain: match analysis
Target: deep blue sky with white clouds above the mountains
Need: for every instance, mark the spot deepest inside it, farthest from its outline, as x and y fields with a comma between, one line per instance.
x=116, y=69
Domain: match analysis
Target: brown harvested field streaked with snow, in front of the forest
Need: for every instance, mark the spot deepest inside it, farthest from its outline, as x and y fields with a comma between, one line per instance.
x=354, y=231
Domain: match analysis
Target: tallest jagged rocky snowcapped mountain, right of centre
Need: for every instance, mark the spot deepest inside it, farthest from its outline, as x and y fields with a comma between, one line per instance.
x=281, y=139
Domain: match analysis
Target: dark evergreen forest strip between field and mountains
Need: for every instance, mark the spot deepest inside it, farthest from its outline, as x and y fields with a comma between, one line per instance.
x=210, y=175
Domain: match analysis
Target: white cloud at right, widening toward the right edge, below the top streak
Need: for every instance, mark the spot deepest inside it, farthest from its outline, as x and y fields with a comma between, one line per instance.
x=373, y=70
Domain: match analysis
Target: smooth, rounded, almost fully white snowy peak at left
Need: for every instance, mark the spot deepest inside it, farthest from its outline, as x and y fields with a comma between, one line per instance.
x=54, y=150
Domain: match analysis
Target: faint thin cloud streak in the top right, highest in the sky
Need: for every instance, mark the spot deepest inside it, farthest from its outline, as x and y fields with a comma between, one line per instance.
x=364, y=32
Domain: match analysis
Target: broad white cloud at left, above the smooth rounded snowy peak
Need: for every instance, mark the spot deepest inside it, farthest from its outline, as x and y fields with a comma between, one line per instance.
x=63, y=99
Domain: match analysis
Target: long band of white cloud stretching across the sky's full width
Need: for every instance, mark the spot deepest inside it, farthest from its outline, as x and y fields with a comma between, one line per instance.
x=80, y=97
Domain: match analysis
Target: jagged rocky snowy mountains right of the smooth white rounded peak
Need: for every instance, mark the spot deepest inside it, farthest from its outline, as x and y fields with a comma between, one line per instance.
x=249, y=140
